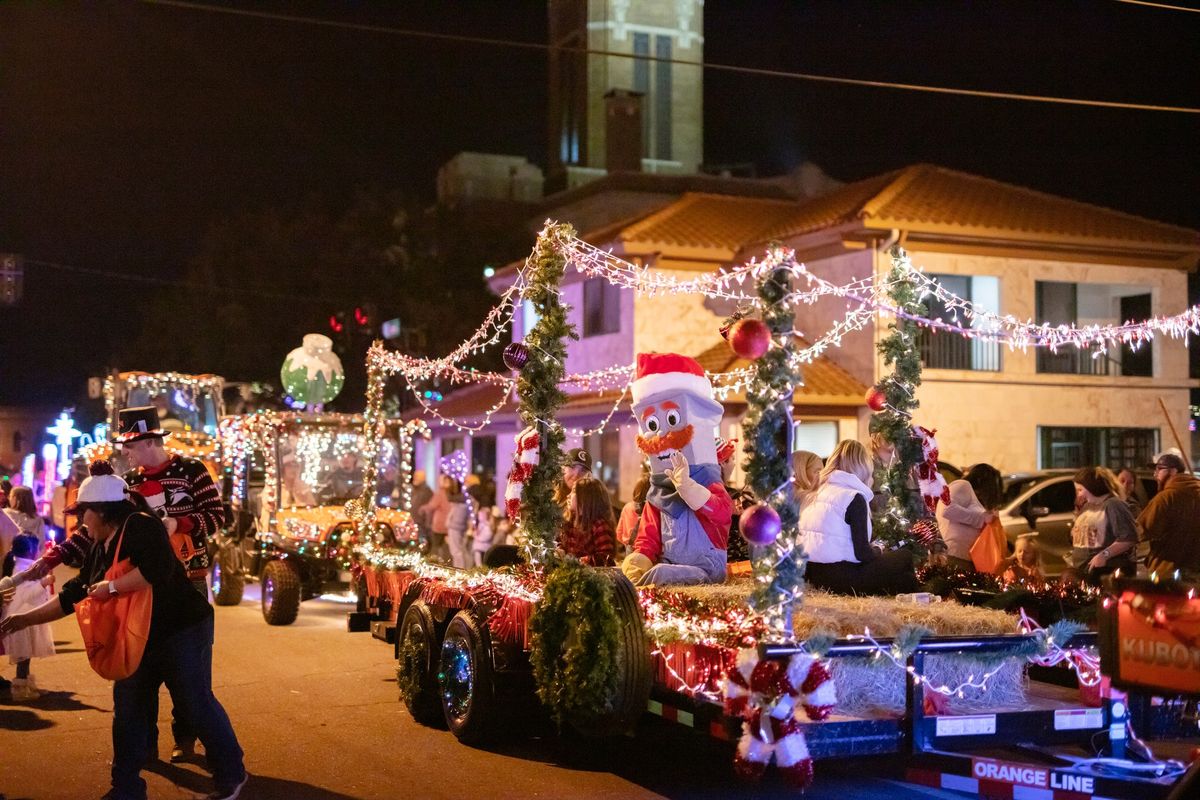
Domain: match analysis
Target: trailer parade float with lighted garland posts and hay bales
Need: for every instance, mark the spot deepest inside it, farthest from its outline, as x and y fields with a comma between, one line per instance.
x=977, y=700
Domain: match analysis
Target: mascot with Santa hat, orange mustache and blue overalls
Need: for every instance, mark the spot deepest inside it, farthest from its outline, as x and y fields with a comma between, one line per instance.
x=686, y=522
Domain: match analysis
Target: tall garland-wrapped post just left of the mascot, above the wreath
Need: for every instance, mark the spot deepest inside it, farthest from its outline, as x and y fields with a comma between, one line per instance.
x=539, y=388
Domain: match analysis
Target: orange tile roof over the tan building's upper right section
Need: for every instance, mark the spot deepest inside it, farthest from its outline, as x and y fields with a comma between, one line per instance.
x=934, y=200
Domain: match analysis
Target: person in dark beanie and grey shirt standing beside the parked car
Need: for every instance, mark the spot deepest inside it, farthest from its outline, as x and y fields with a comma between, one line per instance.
x=1103, y=537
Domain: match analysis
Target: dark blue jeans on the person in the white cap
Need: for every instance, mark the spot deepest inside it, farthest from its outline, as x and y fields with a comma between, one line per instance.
x=183, y=661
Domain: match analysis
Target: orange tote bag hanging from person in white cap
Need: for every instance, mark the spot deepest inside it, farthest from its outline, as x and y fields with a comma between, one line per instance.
x=116, y=629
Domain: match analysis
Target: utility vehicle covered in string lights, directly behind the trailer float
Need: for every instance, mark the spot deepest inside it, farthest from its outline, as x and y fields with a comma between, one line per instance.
x=289, y=478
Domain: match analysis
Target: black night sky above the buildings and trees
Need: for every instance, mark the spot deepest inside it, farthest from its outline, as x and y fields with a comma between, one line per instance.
x=127, y=129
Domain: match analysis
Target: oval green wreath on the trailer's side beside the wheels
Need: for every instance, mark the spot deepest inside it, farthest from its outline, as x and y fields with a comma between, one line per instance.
x=573, y=643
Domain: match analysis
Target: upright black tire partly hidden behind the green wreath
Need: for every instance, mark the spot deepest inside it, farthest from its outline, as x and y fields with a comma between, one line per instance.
x=634, y=676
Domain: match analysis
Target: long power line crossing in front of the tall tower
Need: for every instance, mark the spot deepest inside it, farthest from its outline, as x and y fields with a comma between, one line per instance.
x=719, y=68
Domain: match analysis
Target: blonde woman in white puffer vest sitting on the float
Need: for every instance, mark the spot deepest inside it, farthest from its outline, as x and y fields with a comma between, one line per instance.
x=836, y=528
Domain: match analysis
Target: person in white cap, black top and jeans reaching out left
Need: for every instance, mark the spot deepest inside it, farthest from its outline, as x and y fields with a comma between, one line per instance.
x=179, y=648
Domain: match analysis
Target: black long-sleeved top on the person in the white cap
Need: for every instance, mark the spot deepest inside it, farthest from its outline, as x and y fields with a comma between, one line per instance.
x=177, y=605
